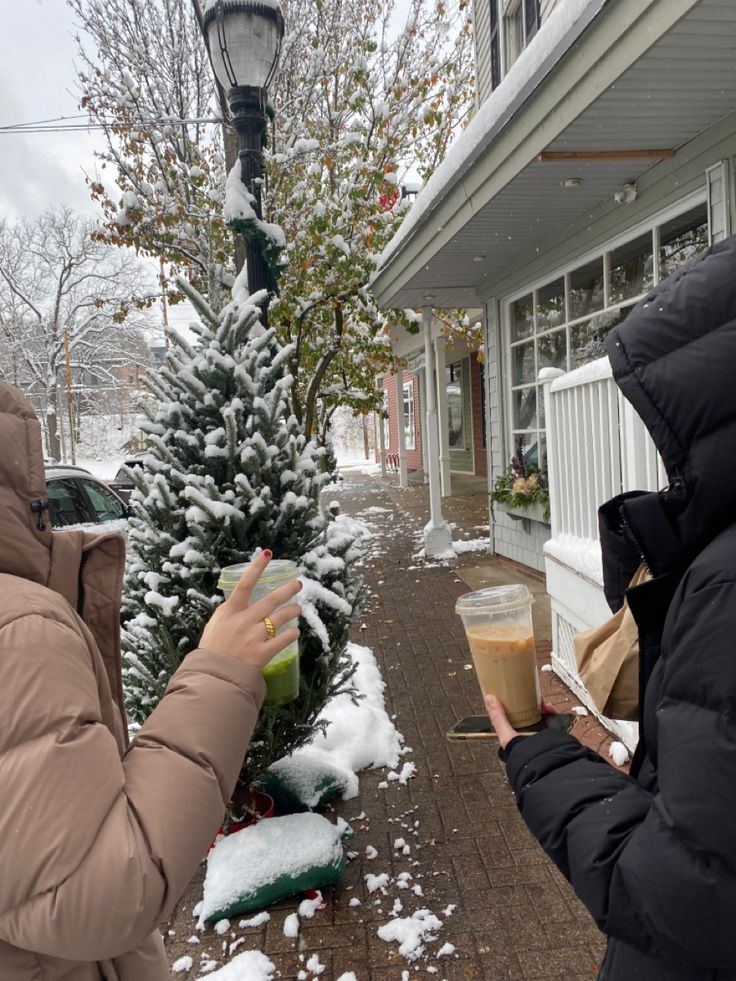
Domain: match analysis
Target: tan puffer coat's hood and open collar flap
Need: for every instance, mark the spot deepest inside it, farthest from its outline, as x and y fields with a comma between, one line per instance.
x=86, y=569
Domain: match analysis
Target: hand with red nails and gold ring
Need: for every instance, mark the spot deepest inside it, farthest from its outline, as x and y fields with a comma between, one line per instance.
x=239, y=630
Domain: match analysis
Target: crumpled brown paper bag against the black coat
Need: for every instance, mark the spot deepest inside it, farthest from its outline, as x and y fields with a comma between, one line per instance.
x=608, y=661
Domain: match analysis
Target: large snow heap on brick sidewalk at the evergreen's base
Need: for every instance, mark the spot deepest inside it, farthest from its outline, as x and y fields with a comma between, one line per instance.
x=359, y=736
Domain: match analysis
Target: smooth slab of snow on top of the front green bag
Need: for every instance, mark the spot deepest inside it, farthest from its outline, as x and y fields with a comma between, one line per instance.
x=280, y=849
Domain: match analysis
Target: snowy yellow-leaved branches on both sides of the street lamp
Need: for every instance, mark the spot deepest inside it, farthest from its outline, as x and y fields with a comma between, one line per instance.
x=368, y=95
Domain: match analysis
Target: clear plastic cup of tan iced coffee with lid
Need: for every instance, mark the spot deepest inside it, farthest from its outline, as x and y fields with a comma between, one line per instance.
x=498, y=625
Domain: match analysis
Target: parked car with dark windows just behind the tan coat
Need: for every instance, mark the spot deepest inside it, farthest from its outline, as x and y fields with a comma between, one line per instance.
x=76, y=497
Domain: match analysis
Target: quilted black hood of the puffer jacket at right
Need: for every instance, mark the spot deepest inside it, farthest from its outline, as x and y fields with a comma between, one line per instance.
x=674, y=359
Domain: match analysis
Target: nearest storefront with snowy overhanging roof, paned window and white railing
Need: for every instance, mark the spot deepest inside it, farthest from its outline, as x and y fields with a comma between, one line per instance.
x=601, y=157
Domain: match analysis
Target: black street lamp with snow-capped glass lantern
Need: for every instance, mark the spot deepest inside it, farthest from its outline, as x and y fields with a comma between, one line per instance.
x=244, y=40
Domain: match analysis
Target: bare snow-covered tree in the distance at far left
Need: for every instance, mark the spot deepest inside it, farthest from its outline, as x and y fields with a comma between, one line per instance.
x=62, y=289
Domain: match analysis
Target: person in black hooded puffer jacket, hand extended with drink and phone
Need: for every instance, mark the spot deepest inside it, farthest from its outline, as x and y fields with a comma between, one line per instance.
x=653, y=854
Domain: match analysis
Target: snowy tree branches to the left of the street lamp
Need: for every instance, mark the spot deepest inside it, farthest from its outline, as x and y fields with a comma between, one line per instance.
x=145, y=77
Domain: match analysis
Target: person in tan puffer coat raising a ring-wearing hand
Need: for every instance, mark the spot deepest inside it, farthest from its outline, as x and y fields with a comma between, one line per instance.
x=99, y=838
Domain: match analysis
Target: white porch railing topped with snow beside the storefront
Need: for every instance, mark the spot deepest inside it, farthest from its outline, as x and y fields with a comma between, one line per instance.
x=597, y=447
